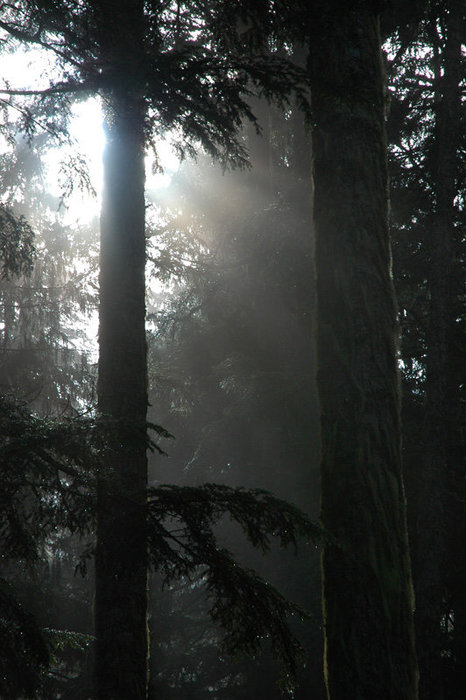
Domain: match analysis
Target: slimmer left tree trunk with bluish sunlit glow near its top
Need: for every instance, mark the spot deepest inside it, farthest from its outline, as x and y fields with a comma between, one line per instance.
x=121, y=555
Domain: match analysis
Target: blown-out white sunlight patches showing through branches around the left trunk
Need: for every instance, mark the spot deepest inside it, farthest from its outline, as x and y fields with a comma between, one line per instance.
x=72, y=171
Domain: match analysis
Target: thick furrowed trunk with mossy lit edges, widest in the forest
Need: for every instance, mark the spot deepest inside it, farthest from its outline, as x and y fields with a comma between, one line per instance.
x=367, y=590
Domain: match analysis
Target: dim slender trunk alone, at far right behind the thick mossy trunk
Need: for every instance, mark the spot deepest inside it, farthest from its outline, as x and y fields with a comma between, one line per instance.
x=430, y=560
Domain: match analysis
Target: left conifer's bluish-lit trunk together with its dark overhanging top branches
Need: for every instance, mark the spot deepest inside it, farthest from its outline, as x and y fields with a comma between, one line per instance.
x=155, y=68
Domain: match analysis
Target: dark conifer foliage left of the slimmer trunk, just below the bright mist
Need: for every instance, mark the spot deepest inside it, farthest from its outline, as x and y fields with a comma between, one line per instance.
x=46, y=481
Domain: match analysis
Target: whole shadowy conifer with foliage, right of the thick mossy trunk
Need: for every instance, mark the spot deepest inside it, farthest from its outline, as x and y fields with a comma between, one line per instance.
x=426, y=156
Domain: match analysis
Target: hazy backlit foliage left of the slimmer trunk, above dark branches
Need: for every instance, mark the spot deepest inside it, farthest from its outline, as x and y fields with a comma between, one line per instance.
x=46, y=306
